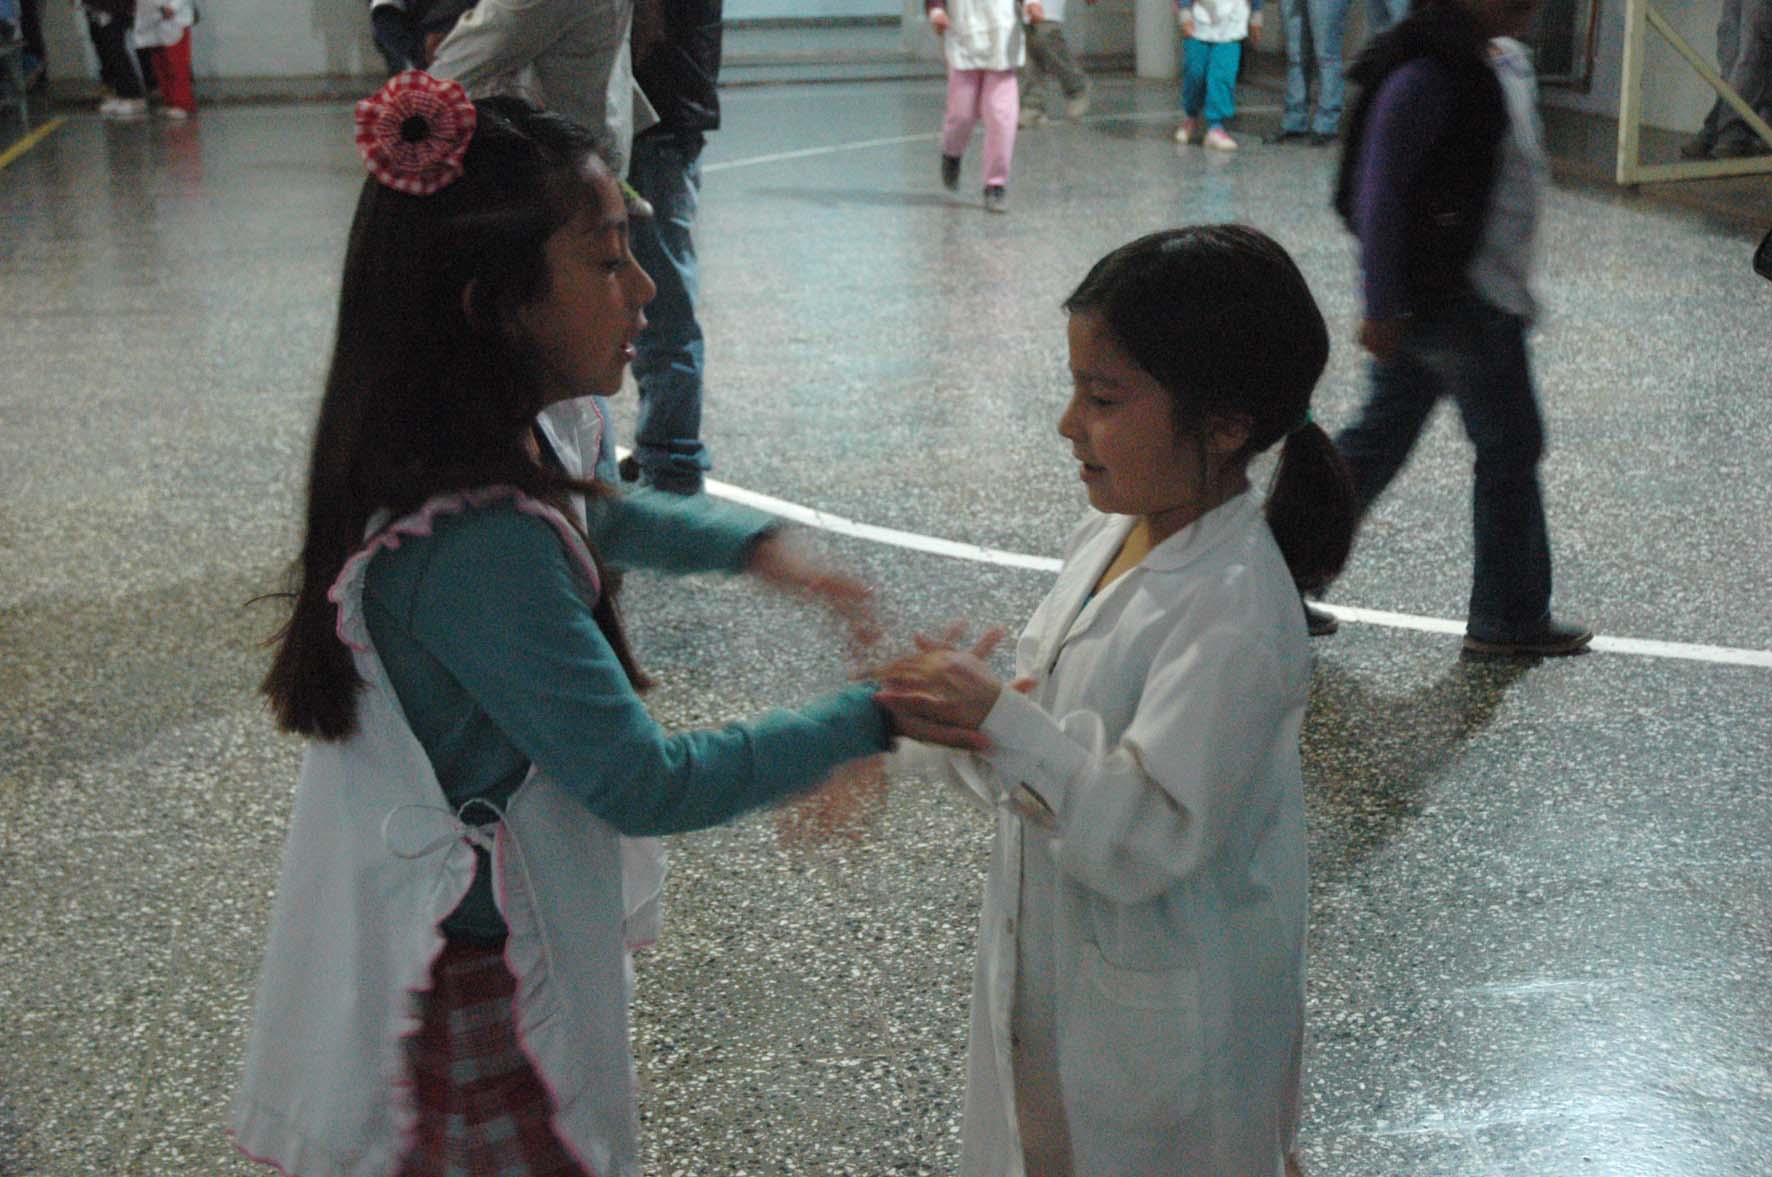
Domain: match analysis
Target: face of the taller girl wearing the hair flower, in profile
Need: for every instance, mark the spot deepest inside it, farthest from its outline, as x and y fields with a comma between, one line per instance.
x=584, y=327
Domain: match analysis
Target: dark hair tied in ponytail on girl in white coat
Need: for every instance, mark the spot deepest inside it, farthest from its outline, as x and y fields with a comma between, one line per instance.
x=1224, y=320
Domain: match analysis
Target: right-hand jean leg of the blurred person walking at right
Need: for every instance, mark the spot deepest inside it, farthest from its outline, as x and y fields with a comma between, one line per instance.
x=1511, y=586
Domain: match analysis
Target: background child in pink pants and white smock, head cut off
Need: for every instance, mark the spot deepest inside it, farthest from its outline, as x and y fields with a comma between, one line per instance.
x=984, y=45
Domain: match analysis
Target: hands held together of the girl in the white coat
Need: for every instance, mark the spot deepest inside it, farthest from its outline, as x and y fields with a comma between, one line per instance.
x=942, y=694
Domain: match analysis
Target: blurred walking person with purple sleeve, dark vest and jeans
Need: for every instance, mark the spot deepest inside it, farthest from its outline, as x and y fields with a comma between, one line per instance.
x=1442, y=182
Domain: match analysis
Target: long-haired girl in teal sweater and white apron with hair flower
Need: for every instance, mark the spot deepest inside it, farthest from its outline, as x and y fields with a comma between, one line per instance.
x=481, y=763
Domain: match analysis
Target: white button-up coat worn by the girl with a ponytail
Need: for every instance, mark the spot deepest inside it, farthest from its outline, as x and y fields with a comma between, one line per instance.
x=1144, y=921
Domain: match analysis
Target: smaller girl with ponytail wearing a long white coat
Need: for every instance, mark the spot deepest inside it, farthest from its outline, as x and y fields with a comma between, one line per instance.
x=1139, y=1002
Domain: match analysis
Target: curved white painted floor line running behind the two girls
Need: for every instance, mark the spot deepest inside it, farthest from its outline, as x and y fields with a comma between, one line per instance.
x=839, y=526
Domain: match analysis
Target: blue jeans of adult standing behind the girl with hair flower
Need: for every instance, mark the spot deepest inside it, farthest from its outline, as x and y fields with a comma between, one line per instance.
x=671, y=352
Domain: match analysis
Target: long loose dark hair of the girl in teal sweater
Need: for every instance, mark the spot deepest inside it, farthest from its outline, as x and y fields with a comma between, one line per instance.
x=431, y=386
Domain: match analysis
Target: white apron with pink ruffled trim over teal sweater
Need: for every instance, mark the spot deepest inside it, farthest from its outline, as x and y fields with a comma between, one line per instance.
x=375, y=861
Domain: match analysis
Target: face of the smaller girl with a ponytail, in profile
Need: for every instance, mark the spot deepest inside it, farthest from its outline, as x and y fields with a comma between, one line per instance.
x=1121, y=425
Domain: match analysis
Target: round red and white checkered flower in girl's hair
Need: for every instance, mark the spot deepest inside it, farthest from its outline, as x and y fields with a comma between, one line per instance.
x=414, y=132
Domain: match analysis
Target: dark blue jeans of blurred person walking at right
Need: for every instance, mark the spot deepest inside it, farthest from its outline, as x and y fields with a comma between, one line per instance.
x=1475, y=354
